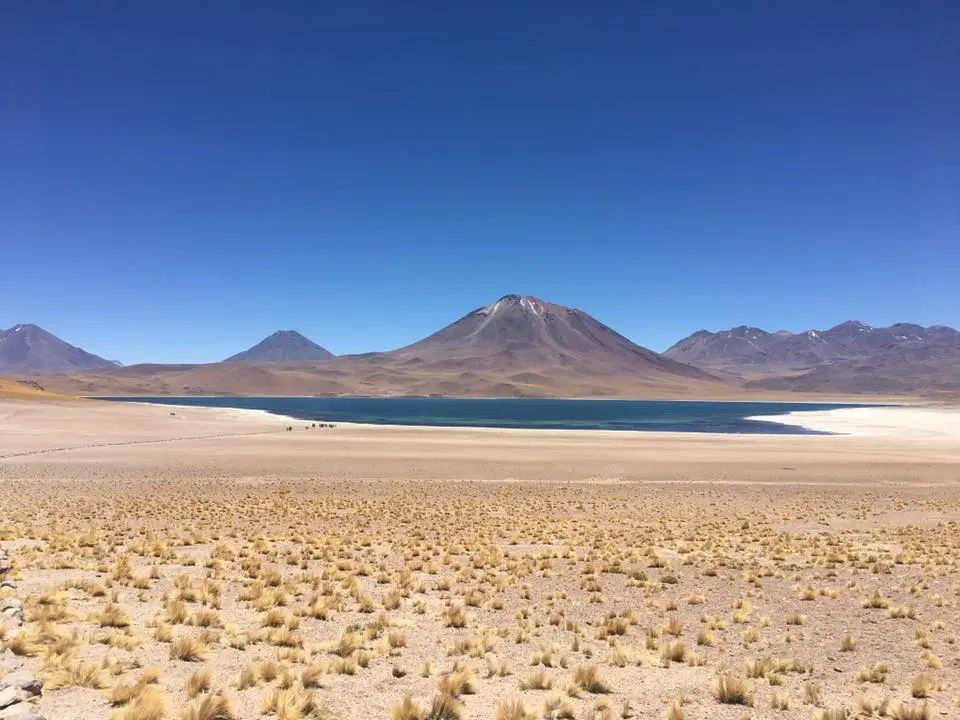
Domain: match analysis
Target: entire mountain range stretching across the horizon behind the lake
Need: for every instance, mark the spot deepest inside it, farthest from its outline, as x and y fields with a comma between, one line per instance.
x=523, y=346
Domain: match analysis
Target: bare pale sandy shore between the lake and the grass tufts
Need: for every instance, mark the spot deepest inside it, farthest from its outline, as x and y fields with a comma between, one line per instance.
x=128, y=434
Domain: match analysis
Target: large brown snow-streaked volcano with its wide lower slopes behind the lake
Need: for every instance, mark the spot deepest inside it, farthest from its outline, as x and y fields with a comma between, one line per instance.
x=518, y=346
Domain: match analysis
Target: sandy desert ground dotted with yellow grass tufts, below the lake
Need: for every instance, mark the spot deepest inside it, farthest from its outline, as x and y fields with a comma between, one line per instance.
x=200, y=563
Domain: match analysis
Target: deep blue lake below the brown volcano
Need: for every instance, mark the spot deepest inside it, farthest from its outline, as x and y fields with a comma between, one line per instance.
x=651, y=415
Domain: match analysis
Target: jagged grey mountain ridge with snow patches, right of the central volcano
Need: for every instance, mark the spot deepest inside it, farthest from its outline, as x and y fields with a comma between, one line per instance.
x=748, y=349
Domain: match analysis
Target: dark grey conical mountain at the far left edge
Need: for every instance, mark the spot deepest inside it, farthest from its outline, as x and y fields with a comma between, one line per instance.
x=31, y=349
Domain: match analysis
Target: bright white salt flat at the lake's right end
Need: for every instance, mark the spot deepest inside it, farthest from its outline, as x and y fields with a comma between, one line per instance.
x=914, y=422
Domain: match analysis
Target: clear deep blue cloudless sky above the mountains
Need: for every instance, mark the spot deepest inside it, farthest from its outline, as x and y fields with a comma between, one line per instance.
x=178, y=180
